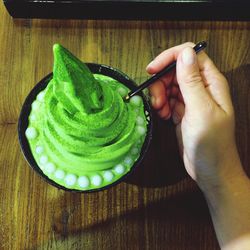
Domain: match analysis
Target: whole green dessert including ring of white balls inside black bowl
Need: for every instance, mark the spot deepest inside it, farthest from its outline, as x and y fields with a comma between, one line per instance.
x=81, y=132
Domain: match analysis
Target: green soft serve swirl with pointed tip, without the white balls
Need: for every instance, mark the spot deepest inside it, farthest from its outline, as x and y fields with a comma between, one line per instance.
x=84, y=125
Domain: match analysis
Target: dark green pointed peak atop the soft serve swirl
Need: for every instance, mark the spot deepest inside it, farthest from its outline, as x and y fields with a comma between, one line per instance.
x=74, y=85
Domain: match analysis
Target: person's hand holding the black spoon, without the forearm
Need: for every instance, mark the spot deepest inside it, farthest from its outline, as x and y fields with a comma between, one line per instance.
x=198, y=99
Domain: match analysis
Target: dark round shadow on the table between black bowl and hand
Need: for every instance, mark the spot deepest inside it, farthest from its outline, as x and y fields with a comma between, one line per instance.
x=162, y=165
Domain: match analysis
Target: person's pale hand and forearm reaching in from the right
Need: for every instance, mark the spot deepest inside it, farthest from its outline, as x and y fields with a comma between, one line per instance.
x=196, y=96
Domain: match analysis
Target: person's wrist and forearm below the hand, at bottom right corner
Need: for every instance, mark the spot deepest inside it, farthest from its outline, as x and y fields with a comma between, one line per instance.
x=229, y=208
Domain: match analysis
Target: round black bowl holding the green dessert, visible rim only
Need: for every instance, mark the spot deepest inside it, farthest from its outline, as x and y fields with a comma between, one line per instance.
x=26, y=109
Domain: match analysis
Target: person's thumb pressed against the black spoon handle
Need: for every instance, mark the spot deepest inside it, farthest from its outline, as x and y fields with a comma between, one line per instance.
x=190, y=80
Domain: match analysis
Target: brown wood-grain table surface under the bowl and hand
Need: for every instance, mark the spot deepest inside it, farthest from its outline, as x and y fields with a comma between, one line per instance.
x=159, y=206
